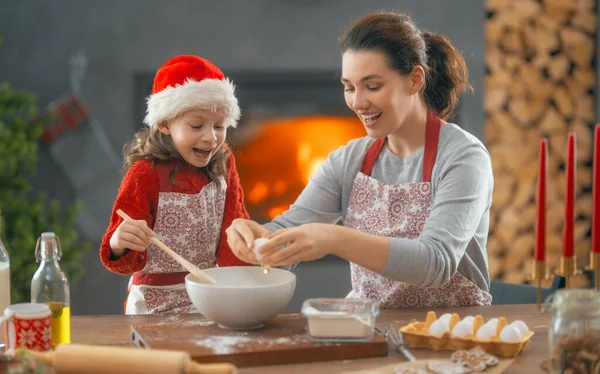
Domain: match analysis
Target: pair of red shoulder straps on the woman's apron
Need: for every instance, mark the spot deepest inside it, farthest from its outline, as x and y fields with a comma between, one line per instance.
x=432, y=135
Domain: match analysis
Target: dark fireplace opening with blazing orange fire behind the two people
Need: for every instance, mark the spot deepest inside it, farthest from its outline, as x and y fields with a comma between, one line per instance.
x=290, y=122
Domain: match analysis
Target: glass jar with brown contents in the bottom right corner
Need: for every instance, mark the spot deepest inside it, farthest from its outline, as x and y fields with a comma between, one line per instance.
x=574, y=332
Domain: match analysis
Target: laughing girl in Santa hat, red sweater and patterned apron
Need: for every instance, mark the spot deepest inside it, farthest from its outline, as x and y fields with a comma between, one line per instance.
x=182, y=186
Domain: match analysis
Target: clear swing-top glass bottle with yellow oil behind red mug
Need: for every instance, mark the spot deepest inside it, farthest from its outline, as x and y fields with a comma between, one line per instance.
x=50, y=286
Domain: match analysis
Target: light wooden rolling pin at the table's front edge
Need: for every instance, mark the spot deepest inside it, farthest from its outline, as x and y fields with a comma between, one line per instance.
x=89, y=359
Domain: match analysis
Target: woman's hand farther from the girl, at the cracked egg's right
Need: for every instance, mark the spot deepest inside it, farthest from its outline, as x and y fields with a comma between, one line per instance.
x=307, y=242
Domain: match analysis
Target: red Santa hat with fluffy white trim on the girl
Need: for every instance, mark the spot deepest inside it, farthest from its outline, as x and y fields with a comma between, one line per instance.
x=190, y=82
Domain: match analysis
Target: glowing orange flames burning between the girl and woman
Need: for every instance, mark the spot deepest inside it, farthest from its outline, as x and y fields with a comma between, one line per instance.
x=277, y=163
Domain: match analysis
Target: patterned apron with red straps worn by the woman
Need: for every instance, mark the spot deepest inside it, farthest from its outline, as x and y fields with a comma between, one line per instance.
x=401, y=211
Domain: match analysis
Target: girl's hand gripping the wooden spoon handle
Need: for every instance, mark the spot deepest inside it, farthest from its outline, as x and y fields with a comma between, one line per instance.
x=131, y=234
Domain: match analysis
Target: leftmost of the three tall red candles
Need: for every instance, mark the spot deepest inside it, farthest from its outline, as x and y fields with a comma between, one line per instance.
x=540, y=223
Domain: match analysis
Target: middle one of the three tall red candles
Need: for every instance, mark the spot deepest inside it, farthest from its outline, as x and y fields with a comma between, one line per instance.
x=569, y=240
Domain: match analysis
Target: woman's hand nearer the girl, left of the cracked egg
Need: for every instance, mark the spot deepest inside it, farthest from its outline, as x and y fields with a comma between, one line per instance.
x=240, y=237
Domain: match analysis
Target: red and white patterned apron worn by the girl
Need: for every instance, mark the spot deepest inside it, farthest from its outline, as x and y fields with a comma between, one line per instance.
x=190, y=225
